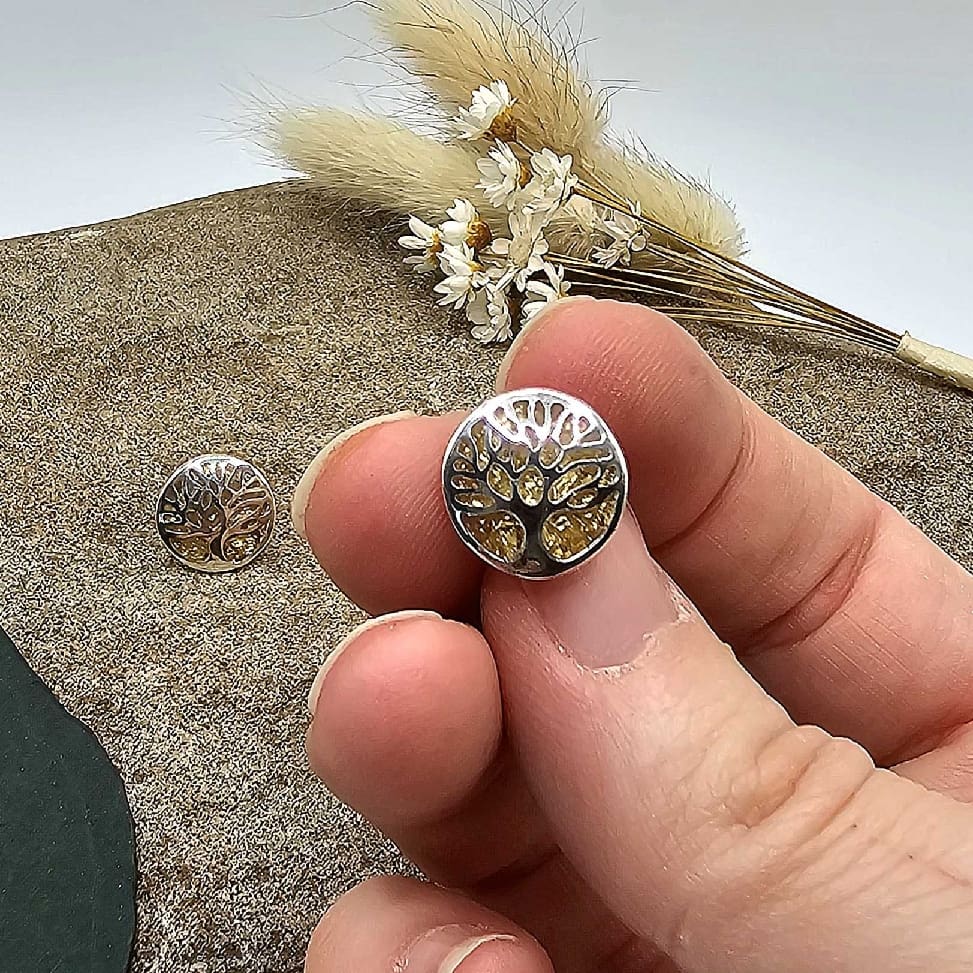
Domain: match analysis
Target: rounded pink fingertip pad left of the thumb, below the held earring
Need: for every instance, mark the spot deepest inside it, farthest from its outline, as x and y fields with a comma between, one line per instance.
x=407, y=719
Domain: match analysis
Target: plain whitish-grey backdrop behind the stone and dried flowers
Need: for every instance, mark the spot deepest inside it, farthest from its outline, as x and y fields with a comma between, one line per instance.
x=843, y=129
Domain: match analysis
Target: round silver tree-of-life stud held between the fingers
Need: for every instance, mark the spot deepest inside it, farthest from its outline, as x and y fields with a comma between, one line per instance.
x=535, y=483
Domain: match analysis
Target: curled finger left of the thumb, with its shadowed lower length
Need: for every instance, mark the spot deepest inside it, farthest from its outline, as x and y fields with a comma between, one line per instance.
x=407, y=729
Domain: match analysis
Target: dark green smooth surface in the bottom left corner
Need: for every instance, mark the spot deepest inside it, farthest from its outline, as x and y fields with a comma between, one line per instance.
x=67, y=851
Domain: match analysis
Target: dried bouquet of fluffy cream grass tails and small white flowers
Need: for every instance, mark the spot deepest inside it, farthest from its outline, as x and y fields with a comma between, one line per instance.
x=539, y=197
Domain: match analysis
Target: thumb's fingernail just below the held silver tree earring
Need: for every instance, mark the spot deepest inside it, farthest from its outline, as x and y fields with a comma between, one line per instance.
x=606, y=612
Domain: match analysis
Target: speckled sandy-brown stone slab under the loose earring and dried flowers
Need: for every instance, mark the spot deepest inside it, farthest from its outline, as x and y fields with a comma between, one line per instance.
x=261, y=324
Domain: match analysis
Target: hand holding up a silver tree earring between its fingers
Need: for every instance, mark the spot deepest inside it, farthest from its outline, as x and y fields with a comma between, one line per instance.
x=595, y=780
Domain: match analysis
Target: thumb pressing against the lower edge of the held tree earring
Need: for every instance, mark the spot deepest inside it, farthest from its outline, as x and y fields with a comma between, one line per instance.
x=699, y=812
